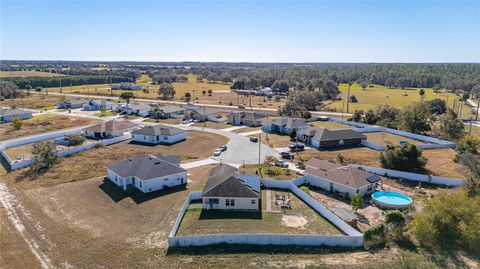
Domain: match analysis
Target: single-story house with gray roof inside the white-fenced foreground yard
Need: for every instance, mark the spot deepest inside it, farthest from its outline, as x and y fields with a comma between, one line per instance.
x=227, y=189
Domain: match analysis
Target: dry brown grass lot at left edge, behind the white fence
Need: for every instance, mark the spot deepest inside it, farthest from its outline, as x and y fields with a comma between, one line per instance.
x=43, y=123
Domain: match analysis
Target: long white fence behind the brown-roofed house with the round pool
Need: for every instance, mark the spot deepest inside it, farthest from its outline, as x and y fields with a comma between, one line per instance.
x=455, y=182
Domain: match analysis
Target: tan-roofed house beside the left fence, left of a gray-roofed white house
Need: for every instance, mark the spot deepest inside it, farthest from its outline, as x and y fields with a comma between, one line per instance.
x=109, y=129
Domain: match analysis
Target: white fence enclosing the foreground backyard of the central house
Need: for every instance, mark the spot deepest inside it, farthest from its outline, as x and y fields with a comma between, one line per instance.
x=352, y=239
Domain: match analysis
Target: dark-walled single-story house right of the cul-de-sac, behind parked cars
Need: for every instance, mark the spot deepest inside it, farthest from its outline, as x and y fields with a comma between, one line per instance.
x=320, y=137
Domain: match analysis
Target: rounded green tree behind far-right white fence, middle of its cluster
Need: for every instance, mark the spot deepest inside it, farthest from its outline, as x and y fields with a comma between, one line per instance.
x=415, y=118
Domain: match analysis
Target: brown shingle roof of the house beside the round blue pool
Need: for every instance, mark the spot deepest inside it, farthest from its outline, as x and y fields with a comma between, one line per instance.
x=344, y=175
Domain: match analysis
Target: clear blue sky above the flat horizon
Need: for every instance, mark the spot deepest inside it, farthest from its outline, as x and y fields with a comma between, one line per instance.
x=241, y=31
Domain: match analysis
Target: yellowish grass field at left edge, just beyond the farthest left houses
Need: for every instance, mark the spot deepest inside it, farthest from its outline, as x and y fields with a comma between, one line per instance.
x=34, y=101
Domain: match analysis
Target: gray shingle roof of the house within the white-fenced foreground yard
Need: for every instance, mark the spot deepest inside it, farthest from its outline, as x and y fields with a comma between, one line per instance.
x=224, y=181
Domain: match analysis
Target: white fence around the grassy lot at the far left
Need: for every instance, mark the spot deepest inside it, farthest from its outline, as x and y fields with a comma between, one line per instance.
x=17, y=164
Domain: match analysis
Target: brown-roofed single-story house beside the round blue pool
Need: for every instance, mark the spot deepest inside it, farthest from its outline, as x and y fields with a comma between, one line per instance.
x=337, y=178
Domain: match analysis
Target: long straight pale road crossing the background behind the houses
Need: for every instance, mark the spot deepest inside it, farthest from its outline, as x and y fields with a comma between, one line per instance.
x=184, y=103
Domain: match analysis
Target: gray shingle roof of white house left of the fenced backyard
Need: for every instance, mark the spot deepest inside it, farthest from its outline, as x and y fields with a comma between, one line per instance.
x=147, y=167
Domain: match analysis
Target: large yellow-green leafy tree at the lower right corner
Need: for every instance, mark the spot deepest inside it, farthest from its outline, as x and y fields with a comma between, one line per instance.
x=449, y=220
